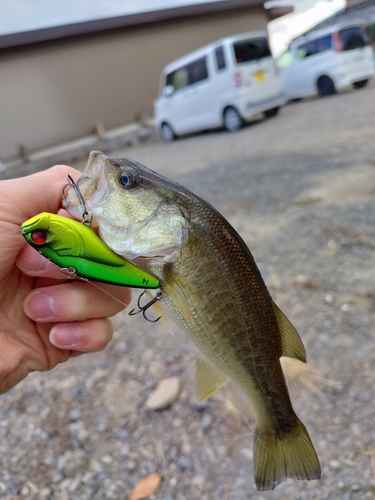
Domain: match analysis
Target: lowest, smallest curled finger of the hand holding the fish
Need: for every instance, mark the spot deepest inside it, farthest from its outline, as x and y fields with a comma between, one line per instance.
x=87, y=336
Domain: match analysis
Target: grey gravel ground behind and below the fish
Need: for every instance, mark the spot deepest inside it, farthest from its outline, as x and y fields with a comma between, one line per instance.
x=300, y=190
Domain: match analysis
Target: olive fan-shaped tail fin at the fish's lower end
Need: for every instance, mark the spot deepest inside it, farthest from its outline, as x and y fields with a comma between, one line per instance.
x=278, y=457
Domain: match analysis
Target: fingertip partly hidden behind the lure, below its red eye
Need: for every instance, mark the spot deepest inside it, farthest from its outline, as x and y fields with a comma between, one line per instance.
x=32, y=263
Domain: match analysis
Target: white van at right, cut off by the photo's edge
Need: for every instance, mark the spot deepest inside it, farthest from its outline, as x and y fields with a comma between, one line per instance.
x=327, y=60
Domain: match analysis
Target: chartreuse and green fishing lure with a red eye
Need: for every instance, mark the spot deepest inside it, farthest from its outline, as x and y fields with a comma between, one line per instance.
x=81, y=253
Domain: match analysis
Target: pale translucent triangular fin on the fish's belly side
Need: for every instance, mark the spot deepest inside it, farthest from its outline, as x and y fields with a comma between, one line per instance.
x=208, y=378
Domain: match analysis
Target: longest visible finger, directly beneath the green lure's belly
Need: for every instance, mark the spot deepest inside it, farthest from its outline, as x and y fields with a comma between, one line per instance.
x=75, y=301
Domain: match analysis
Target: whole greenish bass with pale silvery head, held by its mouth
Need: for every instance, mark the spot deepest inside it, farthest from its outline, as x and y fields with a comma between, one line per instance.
x=212, y=287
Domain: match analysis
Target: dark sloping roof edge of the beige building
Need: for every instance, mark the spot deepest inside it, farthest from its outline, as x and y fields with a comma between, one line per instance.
x=100, y=25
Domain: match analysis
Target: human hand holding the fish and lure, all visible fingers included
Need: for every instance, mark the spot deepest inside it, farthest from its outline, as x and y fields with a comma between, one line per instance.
x=44, y=319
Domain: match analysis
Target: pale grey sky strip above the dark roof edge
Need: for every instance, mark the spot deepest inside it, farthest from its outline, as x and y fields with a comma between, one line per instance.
x=25, y=15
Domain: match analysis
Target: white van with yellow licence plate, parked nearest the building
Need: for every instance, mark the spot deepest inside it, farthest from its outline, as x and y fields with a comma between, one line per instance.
x=221, y=84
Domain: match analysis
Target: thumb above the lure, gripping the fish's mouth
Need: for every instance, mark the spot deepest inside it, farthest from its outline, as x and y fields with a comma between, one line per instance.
x=25, y=197
